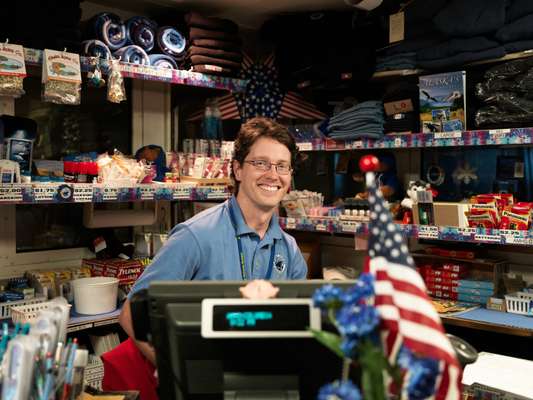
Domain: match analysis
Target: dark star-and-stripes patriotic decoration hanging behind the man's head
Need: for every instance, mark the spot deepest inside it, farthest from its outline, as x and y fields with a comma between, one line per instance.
x=263, y=97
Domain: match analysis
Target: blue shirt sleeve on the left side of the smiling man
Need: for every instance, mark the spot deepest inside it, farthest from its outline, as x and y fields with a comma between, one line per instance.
x=178, y=259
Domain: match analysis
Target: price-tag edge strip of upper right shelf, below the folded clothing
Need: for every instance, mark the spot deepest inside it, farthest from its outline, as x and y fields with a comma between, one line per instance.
x=490, y=137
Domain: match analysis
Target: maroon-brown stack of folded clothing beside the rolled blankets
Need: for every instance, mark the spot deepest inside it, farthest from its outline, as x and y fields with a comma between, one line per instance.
x=215, y=45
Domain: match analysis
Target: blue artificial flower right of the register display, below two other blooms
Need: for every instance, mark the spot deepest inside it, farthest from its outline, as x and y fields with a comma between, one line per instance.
x=357, y=321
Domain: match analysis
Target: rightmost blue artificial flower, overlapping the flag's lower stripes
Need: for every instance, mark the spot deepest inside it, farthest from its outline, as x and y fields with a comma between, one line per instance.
x=423, y=374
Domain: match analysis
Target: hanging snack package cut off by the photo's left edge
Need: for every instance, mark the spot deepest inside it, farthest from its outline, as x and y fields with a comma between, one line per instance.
x=12, y=70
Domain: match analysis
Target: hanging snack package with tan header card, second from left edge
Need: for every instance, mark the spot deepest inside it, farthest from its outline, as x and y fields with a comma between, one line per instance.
x=61, y=77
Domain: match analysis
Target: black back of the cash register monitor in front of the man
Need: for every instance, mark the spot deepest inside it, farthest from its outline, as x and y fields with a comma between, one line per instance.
x=194, y=367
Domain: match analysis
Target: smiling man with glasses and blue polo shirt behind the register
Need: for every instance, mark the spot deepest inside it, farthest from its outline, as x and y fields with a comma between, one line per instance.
x=239, y=239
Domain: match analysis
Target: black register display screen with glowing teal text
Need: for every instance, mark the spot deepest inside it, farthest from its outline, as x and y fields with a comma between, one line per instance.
x=268, y=317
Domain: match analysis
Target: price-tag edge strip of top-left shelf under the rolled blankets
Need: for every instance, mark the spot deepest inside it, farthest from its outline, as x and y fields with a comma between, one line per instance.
x=174, y=76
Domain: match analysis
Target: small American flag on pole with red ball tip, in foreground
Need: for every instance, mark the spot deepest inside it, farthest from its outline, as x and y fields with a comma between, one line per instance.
x=407, y=314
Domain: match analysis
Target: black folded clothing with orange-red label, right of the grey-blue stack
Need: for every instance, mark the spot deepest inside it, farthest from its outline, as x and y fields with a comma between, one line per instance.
x=401, y=107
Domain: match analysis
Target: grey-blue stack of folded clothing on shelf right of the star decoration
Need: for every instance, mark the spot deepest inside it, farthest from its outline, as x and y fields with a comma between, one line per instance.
x=364, y=120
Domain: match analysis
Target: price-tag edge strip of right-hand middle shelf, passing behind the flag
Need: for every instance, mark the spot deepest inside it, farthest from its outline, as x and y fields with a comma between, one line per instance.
x=445, y=233
